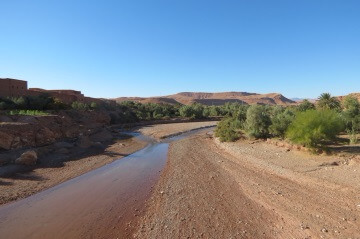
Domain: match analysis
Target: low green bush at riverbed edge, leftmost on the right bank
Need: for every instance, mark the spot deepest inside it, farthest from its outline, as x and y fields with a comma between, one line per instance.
x=228, y=130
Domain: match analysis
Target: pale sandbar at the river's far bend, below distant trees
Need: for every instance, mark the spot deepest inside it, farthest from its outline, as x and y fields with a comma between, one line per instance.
x=161, y=131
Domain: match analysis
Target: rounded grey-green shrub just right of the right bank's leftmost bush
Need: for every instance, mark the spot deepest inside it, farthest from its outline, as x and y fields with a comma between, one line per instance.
x=257, y=121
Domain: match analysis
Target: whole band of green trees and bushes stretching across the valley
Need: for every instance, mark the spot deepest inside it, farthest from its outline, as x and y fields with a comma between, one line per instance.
x=313, y=125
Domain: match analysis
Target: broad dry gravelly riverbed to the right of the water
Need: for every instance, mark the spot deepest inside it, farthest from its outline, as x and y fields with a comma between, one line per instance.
x=252, y=190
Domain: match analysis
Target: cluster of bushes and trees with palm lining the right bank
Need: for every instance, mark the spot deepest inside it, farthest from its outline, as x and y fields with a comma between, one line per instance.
x=307, y=124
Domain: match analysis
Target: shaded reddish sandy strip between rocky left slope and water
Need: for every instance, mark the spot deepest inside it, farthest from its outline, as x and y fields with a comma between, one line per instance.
x=25, y=184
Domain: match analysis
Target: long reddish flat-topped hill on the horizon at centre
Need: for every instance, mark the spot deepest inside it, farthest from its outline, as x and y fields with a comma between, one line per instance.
x=220, y=98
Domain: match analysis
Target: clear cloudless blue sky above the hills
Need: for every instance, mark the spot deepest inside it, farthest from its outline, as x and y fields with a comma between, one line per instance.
x=150, y=47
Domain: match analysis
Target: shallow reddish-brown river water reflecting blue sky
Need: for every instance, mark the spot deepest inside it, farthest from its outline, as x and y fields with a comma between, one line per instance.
x=103, y=203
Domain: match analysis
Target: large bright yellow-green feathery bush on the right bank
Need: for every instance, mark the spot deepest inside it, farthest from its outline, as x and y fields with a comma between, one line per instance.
x=313, y=128
